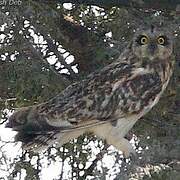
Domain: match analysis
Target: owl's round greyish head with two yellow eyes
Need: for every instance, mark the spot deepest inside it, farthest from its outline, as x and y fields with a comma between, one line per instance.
x=152, y=44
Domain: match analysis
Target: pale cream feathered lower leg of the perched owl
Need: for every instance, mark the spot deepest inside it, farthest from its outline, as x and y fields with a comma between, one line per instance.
x=121, y=144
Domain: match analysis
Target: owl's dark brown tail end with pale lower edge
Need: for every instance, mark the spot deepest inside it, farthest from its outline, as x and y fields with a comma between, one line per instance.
x=34, y=133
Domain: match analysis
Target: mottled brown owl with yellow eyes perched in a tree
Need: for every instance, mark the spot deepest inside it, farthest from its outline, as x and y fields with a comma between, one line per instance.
x=107, y=102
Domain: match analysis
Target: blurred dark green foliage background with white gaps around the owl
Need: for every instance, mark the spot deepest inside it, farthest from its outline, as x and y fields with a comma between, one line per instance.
x=45, y=45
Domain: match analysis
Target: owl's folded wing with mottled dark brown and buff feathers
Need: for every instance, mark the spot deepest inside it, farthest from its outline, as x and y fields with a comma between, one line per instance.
x=117, y=91
